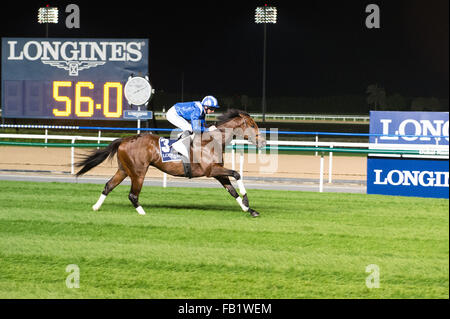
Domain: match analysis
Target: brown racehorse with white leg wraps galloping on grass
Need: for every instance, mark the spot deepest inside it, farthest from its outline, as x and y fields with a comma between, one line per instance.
x=136, y=153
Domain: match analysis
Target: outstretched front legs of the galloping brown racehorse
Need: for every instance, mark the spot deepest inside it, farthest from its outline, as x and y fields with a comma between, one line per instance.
x=221, y=174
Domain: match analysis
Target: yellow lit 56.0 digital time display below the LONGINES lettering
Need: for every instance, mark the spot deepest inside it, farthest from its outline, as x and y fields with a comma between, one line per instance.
x=64, y=99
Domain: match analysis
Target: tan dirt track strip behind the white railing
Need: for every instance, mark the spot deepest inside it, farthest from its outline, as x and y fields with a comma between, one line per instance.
x=57, y=160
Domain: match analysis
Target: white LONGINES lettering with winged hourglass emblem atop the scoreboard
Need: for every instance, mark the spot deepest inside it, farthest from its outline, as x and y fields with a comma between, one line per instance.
x=75, y=56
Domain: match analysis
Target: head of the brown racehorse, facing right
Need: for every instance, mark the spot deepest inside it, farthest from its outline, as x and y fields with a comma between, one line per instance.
x=242, y=125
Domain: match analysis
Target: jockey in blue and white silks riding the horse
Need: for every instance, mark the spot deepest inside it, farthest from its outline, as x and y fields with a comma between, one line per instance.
x=190, y=117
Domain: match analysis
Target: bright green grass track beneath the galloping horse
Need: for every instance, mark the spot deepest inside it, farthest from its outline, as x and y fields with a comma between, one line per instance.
x=197, y=243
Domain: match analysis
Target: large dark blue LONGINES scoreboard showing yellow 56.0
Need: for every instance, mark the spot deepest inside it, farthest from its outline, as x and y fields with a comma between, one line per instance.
x=66, y=78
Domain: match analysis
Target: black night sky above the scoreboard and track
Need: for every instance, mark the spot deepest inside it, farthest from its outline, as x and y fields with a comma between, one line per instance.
x=317, y=48
